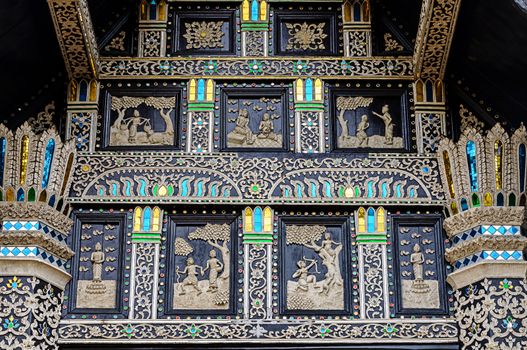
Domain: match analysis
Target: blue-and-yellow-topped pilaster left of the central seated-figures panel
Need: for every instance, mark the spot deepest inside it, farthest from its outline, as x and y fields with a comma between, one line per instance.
x=200, y=116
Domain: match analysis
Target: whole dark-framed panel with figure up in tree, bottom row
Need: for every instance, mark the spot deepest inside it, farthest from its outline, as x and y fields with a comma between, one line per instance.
x=314, y=266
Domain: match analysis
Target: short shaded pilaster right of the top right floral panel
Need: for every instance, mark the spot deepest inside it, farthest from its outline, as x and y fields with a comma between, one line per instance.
x=357, y=28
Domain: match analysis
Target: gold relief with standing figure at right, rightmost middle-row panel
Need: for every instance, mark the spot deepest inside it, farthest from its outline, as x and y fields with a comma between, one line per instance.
x=361, y=138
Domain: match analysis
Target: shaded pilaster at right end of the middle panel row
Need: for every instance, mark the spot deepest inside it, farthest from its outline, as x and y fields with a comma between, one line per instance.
x=430, y=114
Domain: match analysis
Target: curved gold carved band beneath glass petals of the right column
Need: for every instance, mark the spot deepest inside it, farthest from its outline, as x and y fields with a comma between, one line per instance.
x=483, y=216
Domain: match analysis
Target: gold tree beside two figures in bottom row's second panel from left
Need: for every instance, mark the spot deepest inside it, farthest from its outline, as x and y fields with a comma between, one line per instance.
x=219, y=237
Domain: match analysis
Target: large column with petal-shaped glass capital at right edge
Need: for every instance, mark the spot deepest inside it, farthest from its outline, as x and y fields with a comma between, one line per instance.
x=485, y=180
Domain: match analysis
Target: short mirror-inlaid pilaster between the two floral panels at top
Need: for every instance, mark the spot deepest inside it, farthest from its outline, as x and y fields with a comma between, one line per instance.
x=255, y=28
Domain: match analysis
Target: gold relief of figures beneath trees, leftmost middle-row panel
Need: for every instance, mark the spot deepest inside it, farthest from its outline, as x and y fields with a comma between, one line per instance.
x=138, y=130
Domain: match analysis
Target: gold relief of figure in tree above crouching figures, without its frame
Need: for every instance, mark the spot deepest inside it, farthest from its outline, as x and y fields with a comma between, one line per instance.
x=304, y=292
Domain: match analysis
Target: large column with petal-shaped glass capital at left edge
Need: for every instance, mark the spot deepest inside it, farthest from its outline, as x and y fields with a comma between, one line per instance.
x=34, y=217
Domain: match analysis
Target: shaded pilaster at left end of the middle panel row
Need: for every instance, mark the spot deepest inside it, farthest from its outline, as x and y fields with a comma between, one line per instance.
x=82, y=109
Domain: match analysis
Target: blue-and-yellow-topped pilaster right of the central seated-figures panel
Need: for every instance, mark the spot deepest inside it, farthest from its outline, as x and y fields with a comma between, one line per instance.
x=309, y=116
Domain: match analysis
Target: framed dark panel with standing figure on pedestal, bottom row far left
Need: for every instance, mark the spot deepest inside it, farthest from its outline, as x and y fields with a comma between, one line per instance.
x=98, y=285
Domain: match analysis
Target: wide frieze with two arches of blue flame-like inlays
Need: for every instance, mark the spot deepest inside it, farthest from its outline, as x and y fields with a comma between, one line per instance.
x=176, y=177
